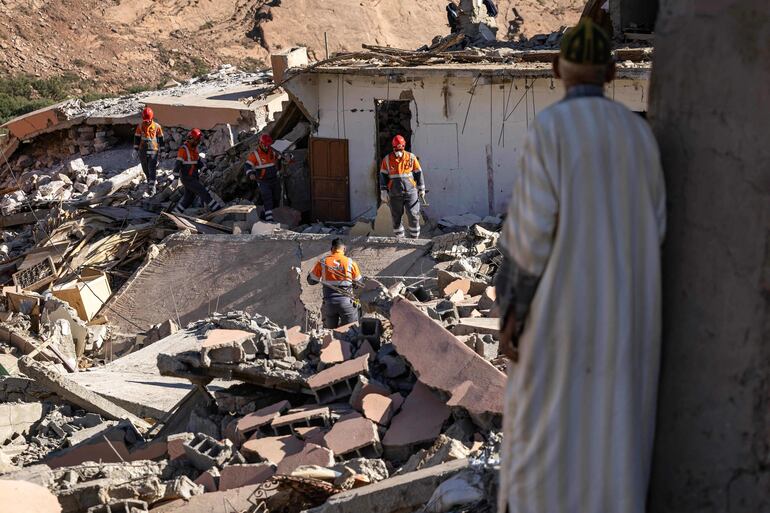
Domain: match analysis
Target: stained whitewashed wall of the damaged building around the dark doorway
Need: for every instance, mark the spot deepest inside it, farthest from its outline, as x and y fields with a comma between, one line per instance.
x=454, y=152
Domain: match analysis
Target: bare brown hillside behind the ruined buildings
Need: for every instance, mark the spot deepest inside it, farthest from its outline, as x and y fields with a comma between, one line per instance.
x=124, y=43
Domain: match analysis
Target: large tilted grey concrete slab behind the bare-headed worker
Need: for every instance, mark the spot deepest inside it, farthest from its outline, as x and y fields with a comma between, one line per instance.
x=243, y=272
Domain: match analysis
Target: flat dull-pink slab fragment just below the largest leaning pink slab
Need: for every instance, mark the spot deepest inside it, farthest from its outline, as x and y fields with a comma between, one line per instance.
x=420, y=420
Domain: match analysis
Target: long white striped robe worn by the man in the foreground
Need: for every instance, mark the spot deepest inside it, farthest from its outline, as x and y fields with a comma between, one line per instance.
x=587, y=216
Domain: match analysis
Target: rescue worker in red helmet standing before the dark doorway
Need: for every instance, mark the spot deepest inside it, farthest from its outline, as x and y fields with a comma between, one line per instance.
x=402, y=185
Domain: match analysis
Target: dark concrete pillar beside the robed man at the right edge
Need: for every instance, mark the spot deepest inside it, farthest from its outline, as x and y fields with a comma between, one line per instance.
x=710, y=99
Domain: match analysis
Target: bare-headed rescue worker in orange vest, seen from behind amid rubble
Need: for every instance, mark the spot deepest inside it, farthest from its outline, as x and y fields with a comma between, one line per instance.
x=338, y=274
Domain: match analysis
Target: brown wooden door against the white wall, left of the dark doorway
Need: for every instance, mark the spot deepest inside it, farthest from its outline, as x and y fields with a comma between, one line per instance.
x=330, y=179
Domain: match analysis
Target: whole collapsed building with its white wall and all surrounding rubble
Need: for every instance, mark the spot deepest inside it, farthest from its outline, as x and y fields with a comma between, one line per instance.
x=154, y=361
